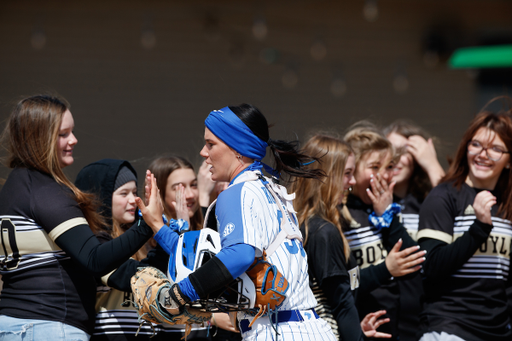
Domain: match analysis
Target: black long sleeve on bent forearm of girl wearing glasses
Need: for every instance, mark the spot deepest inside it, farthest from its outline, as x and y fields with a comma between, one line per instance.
x=438, y=252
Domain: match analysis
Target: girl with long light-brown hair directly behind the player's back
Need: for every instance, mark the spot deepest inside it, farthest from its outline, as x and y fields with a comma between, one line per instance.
x=333, y=271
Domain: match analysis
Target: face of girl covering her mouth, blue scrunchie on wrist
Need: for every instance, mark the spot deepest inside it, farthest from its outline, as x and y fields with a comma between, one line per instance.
x=376, y=162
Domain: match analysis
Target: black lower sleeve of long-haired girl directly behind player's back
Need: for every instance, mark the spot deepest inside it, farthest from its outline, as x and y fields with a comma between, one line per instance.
x=341, y=300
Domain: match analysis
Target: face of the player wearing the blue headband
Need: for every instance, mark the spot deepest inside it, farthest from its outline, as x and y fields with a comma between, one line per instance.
x=221, y=158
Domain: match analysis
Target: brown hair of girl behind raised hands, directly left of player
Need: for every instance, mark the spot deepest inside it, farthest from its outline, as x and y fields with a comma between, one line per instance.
x=162, y=167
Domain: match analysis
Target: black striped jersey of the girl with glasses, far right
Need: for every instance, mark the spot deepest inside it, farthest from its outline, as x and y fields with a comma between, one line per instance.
x=467, y=266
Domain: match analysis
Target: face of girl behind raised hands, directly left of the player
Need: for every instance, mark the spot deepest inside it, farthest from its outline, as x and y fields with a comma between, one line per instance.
x=187, y=178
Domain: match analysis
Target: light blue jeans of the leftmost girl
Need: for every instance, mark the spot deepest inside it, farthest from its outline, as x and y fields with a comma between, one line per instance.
x=15, y=329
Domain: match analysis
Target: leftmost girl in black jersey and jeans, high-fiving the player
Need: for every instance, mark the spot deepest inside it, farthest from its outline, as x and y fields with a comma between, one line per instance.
x=49, y=252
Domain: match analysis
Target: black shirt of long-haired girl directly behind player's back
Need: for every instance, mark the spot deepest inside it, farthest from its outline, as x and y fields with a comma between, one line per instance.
x=334, y=280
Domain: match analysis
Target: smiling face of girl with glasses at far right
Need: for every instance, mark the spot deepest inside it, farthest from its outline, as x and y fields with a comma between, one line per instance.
x=484, y=172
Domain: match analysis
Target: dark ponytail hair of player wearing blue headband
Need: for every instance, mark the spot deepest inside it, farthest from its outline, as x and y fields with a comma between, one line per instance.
x=285, y=155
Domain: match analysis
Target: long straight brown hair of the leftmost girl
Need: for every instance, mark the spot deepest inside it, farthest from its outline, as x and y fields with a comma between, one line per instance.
x=30, y=138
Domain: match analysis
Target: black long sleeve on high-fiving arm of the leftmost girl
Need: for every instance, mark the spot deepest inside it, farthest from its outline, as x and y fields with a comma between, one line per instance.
x=99, y=259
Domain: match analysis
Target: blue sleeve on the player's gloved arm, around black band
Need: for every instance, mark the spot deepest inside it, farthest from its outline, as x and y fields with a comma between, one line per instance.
x=236, y=258
